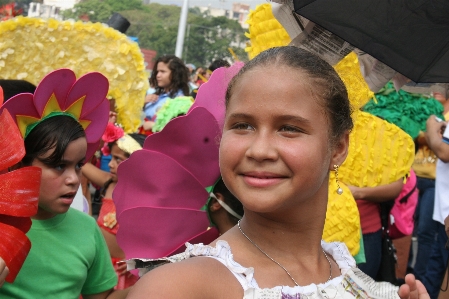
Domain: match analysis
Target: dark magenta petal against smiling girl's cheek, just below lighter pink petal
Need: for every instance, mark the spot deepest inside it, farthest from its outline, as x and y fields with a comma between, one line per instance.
x=201, y=139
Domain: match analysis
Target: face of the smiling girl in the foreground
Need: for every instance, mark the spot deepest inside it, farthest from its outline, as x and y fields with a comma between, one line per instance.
x=275, y=151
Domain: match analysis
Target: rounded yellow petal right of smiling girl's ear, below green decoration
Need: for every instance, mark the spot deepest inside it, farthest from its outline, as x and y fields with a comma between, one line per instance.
x=379, y=153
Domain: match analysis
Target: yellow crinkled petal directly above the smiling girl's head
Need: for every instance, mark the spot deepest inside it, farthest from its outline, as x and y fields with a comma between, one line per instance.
x=265, y=31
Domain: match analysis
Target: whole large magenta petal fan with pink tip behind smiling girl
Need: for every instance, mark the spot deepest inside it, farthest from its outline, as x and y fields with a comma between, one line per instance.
x=162, y=188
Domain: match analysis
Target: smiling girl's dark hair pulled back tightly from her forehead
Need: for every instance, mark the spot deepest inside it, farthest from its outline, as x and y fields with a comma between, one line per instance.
x=326, y=83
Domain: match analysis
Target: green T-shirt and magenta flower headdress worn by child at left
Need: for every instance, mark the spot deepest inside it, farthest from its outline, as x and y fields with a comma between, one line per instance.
x=73, y=237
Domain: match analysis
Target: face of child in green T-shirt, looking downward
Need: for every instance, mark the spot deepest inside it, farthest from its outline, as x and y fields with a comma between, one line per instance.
x=59, y=184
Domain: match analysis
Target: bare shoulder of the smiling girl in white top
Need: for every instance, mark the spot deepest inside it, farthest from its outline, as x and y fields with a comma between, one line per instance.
x=198, y=277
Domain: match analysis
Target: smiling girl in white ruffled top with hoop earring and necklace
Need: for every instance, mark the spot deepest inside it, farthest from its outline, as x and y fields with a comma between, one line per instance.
x=286, y=127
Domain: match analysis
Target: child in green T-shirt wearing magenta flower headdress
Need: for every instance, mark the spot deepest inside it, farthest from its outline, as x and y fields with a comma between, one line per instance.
x=61, y=125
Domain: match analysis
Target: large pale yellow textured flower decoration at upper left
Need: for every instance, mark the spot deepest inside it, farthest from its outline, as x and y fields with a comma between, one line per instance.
x=30, y=48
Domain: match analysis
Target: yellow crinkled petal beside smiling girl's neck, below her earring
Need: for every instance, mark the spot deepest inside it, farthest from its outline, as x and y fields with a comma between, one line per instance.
x=342, y=217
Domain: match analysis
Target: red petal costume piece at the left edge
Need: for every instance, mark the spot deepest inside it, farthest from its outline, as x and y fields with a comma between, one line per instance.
x=18, y=197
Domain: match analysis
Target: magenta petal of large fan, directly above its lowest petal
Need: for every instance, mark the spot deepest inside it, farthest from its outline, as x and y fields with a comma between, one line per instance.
x=173, y=186
